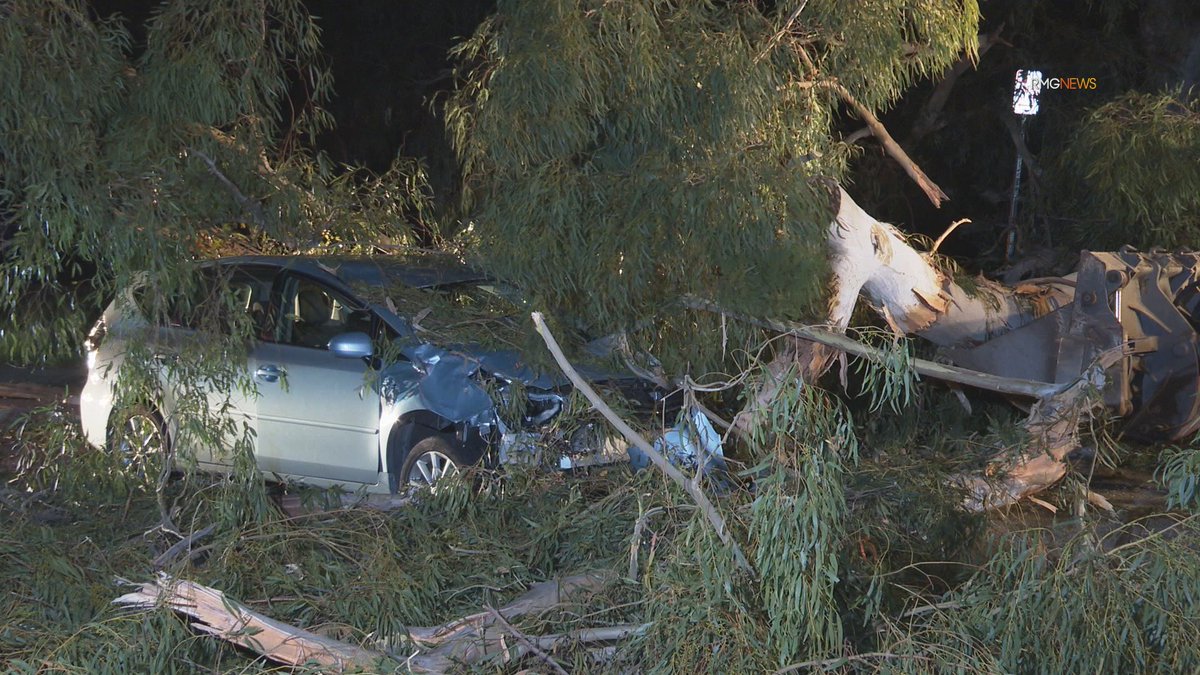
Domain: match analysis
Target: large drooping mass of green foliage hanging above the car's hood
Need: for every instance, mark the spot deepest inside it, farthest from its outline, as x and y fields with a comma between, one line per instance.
x=620, y=156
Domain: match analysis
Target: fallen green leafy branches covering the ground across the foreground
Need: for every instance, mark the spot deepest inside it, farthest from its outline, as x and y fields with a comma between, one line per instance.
x=851, y=557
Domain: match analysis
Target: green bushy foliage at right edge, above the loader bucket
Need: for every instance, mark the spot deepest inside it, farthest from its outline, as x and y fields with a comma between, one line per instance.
x=1135, y=168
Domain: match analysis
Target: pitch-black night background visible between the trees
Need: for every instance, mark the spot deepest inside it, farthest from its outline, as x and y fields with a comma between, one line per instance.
x=391, y=65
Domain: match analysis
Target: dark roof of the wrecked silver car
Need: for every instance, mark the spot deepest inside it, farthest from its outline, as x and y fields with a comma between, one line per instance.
x=422, y=271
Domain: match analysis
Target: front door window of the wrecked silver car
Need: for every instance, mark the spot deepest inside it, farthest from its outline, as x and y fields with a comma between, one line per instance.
x=314, y=314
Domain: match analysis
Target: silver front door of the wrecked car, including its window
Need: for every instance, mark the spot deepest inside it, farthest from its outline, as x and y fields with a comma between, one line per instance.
x=317, y=414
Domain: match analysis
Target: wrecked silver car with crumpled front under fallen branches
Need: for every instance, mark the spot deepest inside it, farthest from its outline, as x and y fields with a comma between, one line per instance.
x=355, y=391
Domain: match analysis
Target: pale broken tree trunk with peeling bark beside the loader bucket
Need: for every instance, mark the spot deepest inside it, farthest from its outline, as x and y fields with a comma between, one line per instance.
x=915, y=297
